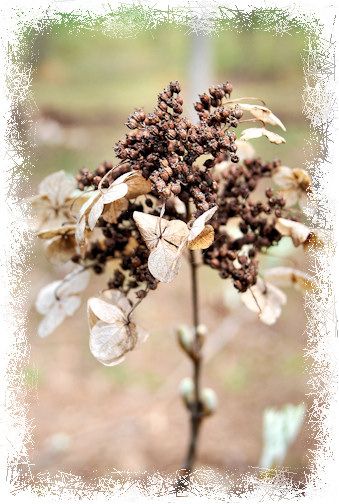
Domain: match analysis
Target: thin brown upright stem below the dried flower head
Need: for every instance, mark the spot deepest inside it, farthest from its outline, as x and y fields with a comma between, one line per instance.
x=196, y=361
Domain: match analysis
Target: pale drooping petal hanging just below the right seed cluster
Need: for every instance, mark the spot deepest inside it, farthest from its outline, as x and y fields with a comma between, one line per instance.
x=264, y=299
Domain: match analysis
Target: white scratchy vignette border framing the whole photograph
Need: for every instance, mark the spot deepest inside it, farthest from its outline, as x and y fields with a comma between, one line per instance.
x=15, y=242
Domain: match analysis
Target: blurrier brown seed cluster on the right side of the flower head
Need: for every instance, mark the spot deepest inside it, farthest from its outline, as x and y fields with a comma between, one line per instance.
x=236, y=258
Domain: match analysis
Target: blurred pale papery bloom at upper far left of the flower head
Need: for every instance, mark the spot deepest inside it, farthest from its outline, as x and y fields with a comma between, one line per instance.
x=54, y=198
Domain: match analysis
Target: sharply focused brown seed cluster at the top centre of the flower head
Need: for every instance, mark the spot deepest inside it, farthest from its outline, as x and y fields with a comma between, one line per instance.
x=165, y=145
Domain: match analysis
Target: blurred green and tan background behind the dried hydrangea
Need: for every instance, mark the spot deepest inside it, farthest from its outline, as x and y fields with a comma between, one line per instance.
x=89, y=418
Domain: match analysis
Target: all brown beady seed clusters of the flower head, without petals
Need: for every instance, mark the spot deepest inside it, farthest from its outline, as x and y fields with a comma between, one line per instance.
x=165, y=146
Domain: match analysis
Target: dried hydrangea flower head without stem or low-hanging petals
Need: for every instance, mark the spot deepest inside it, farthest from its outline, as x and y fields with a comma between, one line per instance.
x=179, y=186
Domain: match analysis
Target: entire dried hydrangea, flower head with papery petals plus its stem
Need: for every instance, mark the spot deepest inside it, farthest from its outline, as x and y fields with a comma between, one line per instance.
x=178, y=191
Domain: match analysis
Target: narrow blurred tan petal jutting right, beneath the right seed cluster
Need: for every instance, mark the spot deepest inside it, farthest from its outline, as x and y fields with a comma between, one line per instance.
x=283, y=276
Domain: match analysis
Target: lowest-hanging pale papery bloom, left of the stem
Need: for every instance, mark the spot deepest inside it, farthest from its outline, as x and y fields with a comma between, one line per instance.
x=112, y=332
